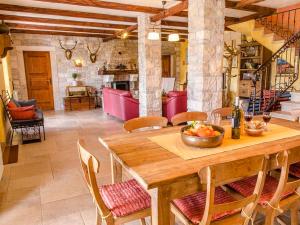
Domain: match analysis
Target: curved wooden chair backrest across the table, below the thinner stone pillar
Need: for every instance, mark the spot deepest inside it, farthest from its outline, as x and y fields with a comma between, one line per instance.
x=145, y=122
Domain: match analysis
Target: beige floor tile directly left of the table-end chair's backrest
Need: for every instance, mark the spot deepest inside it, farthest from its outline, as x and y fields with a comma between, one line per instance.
x=63, y=188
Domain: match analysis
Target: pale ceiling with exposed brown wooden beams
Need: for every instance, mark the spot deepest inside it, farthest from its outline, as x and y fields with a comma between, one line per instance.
x=108, y=19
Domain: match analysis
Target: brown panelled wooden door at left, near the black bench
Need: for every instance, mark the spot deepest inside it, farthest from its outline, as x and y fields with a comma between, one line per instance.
x=39, y=78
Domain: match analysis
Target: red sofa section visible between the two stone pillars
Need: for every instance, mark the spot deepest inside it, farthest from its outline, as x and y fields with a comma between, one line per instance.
x=176, y=102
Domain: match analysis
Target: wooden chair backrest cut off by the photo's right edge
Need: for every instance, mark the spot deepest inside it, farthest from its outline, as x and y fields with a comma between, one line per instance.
x=286, y=186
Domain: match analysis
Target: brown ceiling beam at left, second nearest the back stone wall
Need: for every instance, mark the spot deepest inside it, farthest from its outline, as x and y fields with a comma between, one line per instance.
x=62, y=22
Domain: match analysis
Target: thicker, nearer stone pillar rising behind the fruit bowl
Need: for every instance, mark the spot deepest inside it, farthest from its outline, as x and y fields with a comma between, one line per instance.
x=205, y=54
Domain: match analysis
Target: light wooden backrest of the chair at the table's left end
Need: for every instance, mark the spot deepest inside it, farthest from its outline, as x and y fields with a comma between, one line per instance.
x=90, y=166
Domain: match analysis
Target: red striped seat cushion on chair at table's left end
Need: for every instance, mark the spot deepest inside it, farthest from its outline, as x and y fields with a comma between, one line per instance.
x=125, y=198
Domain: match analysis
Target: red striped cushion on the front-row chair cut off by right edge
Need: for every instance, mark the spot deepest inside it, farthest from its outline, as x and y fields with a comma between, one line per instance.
x=246, y=187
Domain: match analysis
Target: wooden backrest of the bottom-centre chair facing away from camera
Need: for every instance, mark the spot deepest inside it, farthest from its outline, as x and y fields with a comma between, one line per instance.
x=220, y=174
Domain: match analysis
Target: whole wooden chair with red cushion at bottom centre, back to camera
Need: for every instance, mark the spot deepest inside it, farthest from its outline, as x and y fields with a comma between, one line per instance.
x=215, y=206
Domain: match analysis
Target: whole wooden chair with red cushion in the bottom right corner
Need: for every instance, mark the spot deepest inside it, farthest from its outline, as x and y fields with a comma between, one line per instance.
x=278, y=195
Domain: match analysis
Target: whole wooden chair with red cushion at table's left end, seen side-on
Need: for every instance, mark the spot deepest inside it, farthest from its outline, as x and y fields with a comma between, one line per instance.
x=116, y=204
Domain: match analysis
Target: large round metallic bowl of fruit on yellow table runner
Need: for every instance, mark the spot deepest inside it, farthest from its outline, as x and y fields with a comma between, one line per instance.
x=202, y=135
